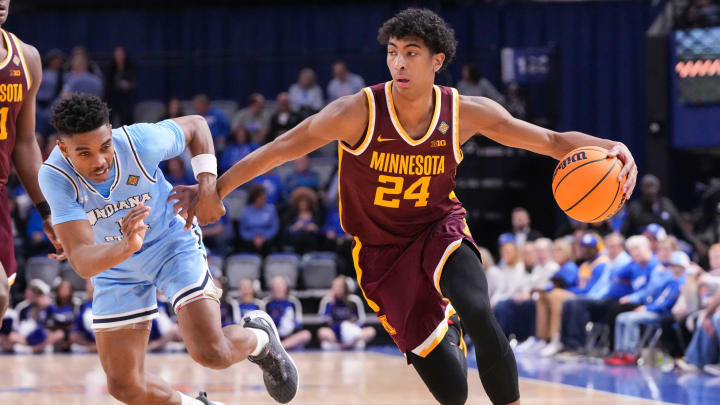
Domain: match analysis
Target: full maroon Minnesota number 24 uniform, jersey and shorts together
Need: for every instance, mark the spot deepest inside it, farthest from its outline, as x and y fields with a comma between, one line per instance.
x=397, y=200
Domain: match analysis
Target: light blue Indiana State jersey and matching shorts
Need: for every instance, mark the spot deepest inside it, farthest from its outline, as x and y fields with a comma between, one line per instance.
x=170, y=259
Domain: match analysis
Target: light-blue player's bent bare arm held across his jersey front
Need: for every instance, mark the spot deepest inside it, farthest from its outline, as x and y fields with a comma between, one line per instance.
x=89, y=259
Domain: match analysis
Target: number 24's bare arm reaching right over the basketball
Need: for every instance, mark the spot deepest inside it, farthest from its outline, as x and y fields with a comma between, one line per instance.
x=482, y=115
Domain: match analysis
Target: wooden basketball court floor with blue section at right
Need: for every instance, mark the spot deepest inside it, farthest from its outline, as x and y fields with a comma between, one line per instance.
x=379, y=376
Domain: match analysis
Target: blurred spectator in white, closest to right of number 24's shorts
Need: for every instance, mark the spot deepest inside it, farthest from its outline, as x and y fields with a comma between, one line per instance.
x=509, y=277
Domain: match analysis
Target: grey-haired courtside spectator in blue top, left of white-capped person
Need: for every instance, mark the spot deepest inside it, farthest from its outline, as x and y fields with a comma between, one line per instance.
x=625, y=281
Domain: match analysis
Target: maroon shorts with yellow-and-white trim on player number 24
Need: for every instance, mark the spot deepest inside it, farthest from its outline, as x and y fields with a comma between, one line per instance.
x=401, y=283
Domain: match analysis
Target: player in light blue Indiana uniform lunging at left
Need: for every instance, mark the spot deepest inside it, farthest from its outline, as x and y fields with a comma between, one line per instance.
x=111, y=213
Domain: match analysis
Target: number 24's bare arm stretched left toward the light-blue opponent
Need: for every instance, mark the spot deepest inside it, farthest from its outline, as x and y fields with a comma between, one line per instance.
x=344, y=119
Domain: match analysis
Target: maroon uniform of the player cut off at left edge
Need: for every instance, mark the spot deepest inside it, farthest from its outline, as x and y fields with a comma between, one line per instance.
x=15, y=82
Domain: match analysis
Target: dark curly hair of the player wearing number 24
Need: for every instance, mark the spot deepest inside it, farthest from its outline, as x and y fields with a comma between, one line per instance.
x=424, y=24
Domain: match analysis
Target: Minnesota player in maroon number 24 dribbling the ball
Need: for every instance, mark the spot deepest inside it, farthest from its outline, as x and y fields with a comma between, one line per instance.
x=415, y=260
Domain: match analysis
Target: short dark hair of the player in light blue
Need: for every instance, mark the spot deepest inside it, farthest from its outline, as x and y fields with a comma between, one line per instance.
x=78, y=114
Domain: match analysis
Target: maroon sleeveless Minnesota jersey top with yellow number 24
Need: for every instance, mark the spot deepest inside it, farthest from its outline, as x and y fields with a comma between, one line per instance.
x=392, y=187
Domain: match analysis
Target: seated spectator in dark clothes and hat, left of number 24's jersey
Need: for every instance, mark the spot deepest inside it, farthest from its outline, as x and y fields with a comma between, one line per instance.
x=302, y=229
